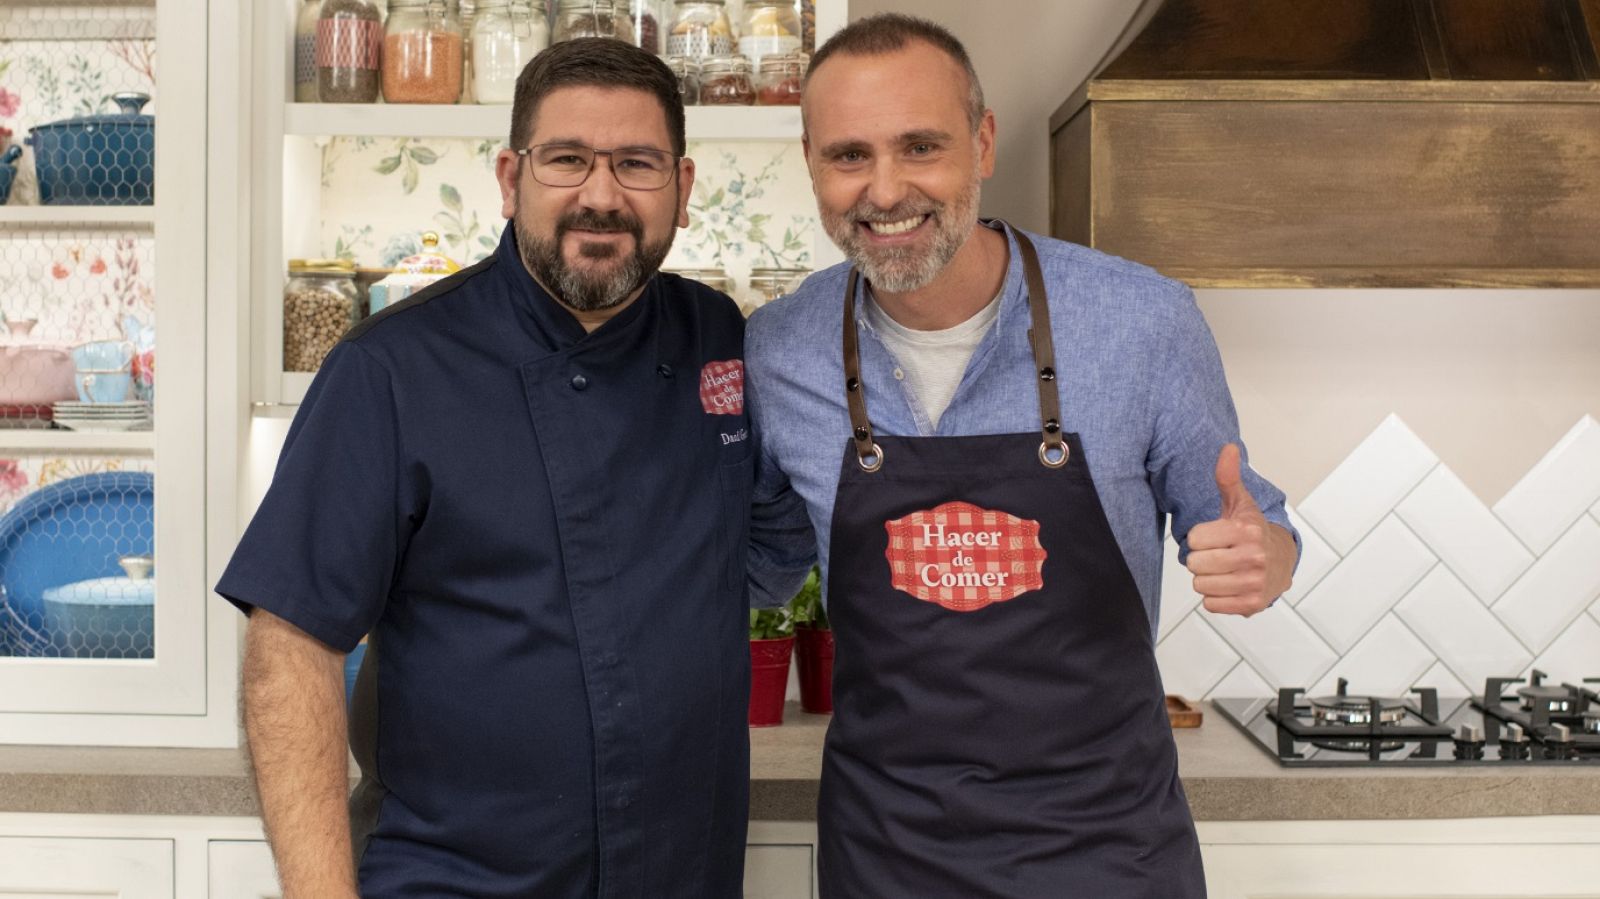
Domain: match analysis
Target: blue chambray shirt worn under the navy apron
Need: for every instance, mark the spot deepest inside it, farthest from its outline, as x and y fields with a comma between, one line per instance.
x=1140, y=377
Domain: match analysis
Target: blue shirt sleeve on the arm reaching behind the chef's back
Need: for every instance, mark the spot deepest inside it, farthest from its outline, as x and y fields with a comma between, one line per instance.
x=783, y=543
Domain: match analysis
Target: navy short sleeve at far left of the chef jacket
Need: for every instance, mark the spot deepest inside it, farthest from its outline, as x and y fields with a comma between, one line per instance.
x=324, y=546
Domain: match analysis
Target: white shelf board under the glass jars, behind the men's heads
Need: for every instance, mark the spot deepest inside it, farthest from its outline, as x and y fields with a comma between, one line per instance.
x=468, y=121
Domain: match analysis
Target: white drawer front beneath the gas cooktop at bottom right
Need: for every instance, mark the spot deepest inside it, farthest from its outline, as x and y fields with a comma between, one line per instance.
x=1506, y=858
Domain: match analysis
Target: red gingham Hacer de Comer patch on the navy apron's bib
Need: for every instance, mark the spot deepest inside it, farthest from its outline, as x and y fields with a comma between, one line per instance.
x=966, y=557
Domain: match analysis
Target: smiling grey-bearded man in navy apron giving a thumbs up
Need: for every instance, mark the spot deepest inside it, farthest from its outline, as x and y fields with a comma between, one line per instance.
x=940, y=404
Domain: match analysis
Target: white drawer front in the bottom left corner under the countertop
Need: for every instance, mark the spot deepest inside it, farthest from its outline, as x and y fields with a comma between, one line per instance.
x=71, y=869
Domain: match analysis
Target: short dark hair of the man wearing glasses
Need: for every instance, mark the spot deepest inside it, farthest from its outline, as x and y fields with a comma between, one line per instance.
x=599, y=63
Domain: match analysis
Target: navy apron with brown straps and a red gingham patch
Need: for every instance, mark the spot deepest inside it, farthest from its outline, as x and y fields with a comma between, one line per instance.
x=999, y=725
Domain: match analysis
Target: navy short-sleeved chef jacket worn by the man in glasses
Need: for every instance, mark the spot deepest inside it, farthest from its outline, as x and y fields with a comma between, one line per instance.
x=543, y=532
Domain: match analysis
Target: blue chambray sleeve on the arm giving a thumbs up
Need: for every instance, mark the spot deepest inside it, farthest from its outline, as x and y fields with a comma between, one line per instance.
x=1194, y=420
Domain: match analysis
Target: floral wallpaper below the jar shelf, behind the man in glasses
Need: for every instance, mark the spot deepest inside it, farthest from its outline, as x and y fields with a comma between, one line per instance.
x=751, y=206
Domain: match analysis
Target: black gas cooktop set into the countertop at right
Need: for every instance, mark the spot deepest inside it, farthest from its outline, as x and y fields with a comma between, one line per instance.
x=1537, y=725
